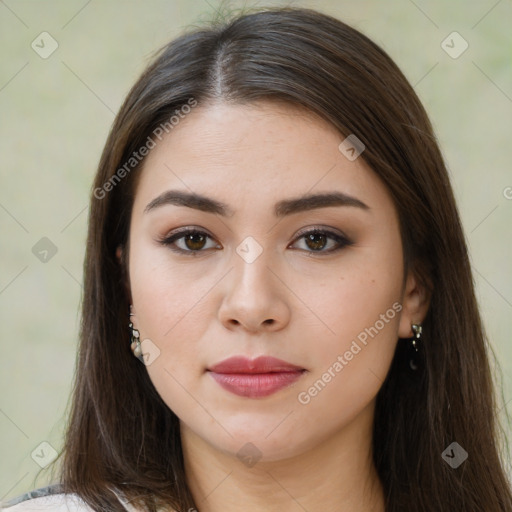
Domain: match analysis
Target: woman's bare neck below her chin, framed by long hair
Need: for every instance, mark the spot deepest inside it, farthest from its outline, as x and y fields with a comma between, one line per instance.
x=337, y=474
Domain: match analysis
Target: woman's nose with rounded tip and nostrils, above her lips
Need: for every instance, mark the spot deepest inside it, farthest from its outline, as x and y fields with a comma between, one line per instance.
x=255, y=297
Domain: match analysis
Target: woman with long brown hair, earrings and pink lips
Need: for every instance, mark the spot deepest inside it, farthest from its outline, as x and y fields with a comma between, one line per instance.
x=273, y=234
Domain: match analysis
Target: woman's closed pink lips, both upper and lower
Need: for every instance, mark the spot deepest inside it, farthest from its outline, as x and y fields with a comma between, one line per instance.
x=256, y=378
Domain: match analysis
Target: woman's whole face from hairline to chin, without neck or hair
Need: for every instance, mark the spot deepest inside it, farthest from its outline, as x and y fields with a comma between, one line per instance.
x=253, y=282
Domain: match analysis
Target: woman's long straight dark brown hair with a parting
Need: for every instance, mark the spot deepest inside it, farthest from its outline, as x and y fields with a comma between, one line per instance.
x=121, y=436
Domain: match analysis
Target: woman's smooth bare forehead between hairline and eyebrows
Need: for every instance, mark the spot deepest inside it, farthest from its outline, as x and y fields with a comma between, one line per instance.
x=246, y=155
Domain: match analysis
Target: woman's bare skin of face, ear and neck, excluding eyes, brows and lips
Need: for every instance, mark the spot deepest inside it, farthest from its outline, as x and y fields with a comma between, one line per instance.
x=200, y=309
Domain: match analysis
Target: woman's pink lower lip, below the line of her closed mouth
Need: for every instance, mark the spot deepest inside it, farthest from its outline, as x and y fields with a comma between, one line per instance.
x=256, y=385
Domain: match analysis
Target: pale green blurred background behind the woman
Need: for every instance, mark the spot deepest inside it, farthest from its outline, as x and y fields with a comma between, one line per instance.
x=55, y=115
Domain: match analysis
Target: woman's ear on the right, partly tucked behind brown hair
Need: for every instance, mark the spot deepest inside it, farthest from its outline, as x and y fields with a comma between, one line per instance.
x=415, y=304
